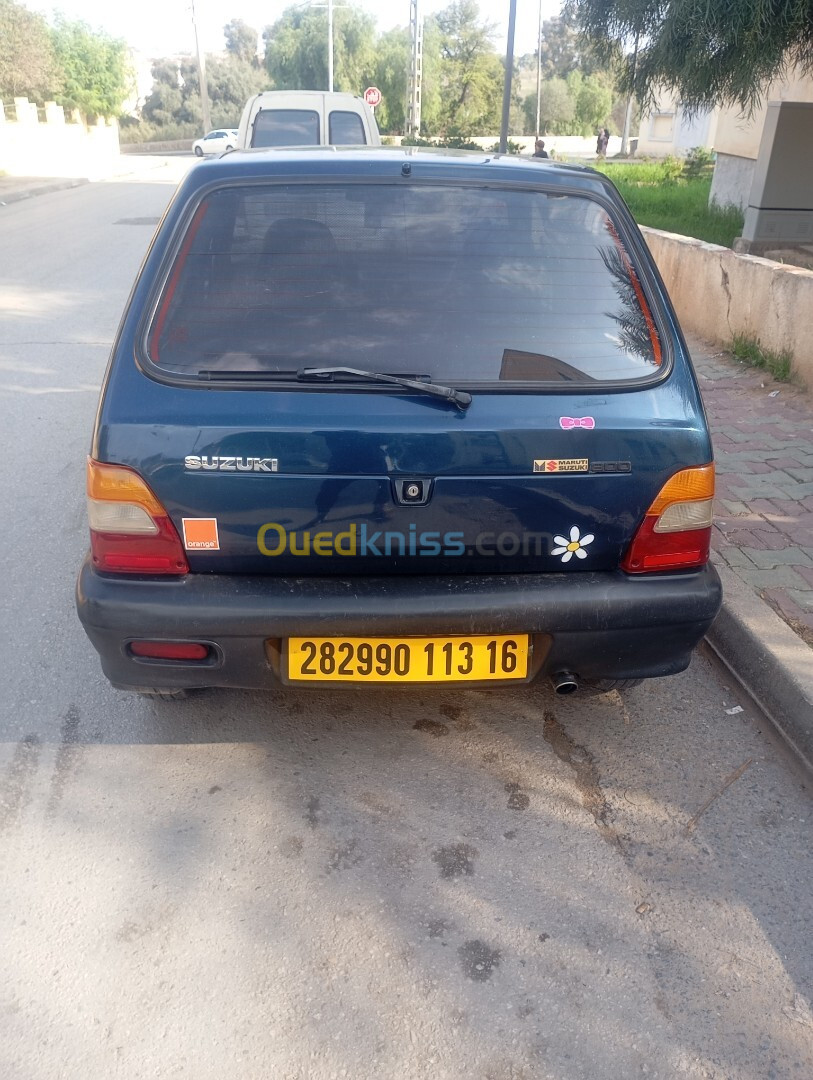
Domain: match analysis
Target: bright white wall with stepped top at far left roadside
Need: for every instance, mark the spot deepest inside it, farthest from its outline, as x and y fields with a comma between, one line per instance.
x=33, y=144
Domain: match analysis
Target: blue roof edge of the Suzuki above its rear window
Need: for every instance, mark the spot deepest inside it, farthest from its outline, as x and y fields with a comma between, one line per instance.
x=383, y=163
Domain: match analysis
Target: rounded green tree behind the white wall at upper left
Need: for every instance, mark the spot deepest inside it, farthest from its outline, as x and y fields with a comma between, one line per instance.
x=97, y=76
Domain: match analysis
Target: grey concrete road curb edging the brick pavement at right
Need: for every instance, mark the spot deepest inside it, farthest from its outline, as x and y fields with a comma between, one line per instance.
x=774, y=665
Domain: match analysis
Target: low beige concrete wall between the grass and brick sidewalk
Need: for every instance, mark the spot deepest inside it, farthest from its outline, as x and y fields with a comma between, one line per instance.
x=719, y=294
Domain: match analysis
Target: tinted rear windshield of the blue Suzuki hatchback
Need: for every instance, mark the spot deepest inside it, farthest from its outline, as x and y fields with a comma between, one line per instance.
x=463, y=285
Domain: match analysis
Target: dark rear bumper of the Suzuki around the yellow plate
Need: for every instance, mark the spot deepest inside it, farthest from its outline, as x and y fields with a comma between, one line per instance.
x=597, y=626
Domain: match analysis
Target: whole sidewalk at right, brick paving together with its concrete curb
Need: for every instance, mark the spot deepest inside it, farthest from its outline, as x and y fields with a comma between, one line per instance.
x=763, y=537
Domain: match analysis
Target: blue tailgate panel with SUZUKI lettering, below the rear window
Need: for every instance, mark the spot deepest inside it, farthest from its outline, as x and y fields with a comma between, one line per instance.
x=402, y=487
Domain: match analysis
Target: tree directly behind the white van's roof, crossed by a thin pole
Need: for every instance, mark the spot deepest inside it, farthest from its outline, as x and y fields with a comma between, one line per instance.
x=296, y=50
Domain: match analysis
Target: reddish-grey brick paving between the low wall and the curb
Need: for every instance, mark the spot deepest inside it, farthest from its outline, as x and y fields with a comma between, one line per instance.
x=764, y=450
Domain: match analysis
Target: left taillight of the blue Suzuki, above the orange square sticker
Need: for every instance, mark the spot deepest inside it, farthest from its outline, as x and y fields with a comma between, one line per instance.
x=131, y=533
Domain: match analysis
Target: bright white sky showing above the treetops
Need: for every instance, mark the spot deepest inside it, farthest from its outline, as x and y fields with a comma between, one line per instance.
x=164, y=28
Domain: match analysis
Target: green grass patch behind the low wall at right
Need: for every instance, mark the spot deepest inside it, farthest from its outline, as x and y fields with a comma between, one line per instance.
x=659, y=196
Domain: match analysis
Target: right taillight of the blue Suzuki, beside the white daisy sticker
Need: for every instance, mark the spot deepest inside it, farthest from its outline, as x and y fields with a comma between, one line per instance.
x=676, y=532
